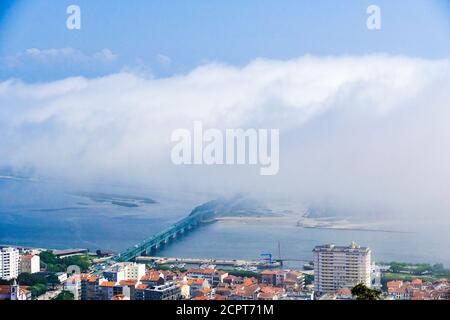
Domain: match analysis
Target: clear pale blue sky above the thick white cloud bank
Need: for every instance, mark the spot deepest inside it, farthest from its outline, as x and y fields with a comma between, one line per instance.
x=183, y=34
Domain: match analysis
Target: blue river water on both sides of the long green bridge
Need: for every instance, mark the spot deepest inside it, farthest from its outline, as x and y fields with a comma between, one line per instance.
x=52, y=216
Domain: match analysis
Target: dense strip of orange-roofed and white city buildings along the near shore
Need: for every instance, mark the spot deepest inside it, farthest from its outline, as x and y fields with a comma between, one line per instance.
x=337, y=269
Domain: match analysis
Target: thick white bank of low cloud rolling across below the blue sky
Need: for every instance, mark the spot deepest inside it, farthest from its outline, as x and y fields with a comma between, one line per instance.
x=367, y=133
